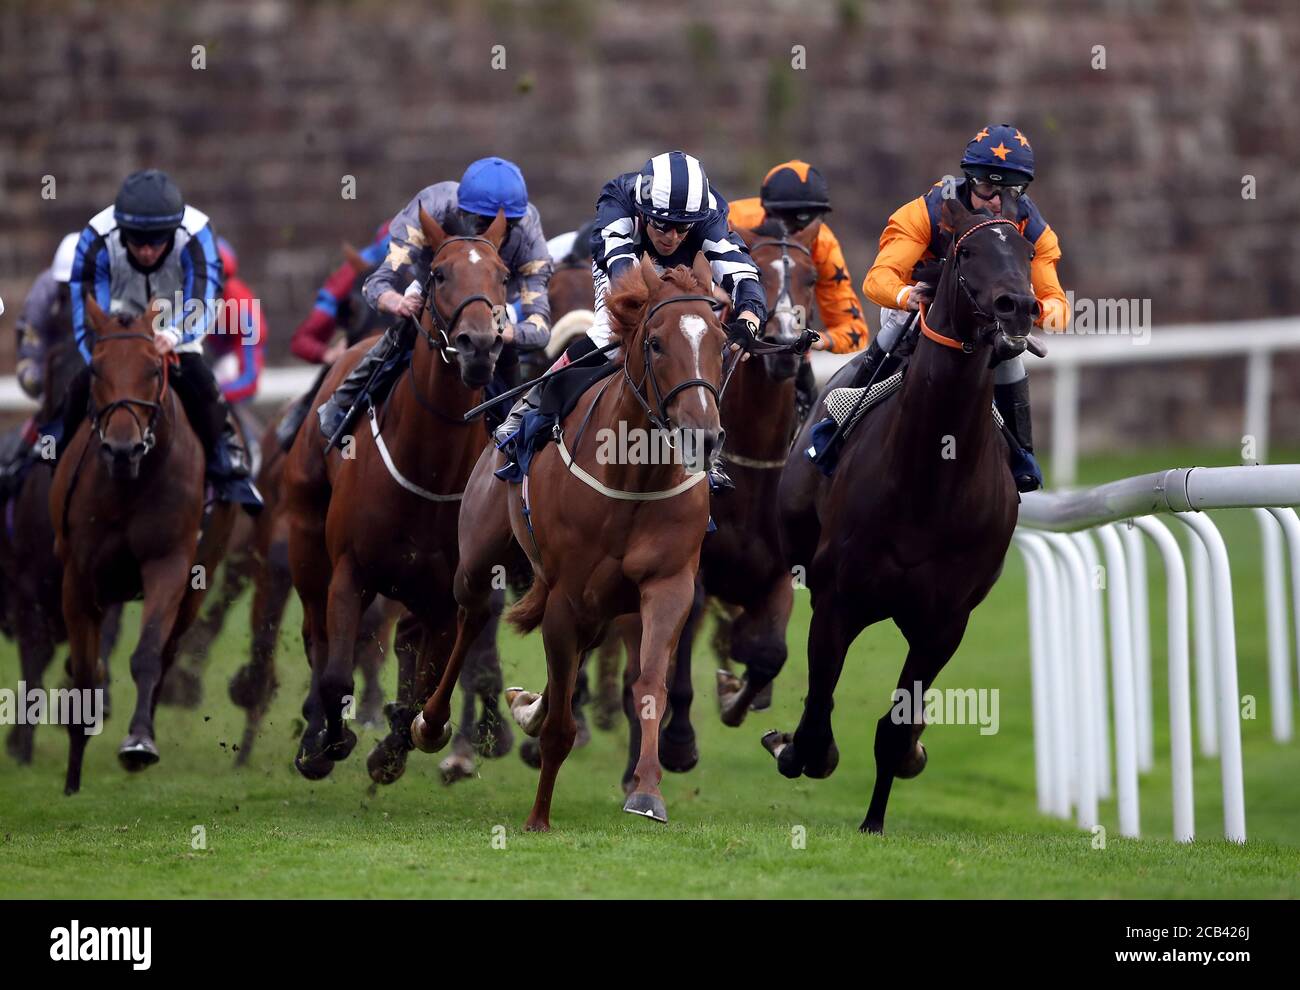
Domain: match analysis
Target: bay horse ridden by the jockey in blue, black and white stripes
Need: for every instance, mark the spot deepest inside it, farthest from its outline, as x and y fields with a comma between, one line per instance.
x=128, y=509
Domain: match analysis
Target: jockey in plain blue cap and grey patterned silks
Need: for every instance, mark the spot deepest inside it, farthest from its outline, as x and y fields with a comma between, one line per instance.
x=467, y=207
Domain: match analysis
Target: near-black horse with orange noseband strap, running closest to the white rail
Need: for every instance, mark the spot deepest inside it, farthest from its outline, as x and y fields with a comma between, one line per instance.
x=917, y=518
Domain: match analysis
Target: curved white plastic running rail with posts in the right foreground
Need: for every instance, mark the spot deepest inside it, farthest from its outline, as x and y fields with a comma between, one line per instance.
x=1069, y=649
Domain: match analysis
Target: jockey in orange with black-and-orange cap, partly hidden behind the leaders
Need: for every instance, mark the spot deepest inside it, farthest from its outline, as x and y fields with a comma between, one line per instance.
x=796, y=194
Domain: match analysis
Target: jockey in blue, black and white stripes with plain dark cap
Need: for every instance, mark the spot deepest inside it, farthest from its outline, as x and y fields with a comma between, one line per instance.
x=150, y=245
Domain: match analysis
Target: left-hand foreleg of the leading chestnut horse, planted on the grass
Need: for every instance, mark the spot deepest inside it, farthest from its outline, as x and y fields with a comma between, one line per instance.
x=560, y=728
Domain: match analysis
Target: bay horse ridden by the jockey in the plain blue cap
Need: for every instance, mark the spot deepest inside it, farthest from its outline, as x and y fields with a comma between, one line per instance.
x=380, y=516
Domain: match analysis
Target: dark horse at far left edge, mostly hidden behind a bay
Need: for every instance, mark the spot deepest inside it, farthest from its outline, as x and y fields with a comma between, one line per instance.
x=33, y=575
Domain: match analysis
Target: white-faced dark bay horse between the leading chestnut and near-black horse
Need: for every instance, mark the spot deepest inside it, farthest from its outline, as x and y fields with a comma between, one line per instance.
x=742, y=563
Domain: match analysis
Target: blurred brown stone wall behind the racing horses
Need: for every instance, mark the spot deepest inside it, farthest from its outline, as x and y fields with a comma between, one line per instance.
x=1141, y=163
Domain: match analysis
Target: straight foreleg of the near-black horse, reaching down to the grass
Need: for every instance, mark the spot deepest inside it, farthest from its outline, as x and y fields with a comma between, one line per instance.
x=899, y=750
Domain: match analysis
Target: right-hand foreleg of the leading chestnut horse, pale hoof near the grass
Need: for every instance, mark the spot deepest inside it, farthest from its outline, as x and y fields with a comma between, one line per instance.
x=665, y=607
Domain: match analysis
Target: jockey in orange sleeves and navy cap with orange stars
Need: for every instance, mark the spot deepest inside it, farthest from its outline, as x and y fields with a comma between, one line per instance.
x=998, y=170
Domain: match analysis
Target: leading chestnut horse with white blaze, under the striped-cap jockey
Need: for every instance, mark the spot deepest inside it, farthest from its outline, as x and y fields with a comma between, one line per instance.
x=606, y=536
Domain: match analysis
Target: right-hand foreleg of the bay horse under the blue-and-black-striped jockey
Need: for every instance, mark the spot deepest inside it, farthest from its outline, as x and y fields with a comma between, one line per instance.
x=166, y=583
